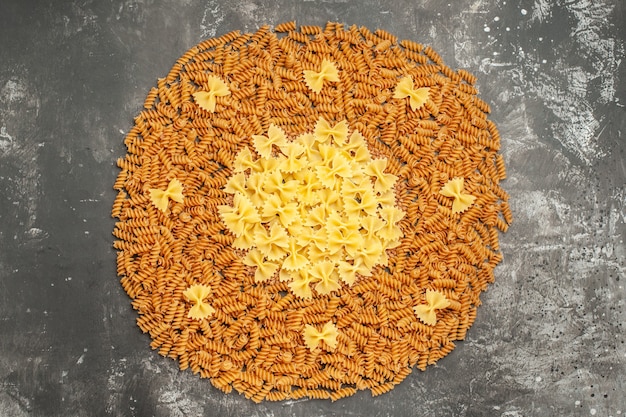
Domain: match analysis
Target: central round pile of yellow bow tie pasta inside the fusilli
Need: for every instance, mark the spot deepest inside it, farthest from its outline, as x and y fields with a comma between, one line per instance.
x=327, y=207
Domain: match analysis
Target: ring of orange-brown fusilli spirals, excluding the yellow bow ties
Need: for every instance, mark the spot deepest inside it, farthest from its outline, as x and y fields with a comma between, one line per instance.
x=253, y=341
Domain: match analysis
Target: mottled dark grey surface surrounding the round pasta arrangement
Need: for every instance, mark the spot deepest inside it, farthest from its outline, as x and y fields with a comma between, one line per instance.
x=549, y=339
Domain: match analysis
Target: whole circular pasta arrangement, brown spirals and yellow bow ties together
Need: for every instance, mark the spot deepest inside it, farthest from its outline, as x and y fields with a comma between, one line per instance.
x=308, y=212
